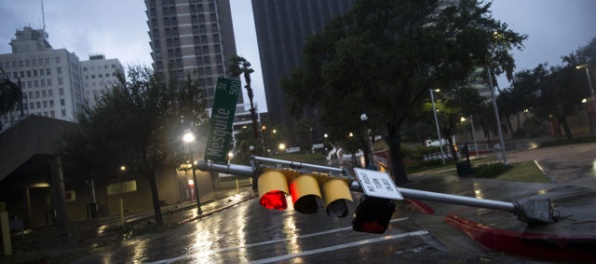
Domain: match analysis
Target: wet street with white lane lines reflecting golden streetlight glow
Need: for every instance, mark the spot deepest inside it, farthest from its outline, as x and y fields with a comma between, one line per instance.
x=248, y=233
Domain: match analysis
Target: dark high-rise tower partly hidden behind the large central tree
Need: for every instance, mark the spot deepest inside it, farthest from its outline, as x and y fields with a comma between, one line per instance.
x=282, y=28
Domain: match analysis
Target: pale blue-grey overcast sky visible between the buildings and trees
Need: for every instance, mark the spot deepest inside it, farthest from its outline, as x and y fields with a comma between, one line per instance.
x=118, y=29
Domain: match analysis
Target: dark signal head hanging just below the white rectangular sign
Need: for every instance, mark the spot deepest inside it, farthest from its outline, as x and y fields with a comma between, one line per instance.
x=372, y=214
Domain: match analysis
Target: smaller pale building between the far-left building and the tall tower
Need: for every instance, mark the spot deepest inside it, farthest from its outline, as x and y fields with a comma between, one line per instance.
x=99, y=74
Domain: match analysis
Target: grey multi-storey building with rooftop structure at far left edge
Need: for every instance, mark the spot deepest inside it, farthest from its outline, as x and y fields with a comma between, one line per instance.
x=50, y=79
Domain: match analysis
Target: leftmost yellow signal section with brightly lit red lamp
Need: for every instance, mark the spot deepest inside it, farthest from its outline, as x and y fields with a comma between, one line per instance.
x=273, y=188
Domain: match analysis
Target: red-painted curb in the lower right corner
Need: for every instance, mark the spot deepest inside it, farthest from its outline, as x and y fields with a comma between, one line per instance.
x=531, y=245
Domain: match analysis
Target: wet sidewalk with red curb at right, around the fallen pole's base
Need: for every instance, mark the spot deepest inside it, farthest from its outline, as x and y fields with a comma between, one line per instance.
x=572, y=192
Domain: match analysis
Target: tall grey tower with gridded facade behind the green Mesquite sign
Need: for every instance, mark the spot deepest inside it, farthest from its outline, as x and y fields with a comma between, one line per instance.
x=191, y=35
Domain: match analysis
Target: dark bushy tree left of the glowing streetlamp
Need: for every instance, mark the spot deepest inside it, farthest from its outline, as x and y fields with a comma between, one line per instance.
x=139, y=123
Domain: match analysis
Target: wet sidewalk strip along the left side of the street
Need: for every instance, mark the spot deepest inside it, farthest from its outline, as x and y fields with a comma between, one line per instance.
x=99, y=232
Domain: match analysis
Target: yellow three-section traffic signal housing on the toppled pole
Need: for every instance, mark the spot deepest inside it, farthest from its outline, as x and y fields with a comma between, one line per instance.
x=306, y=190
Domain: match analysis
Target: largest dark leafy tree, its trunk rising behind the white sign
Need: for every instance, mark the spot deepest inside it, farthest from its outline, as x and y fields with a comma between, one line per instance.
x=384, y=55
